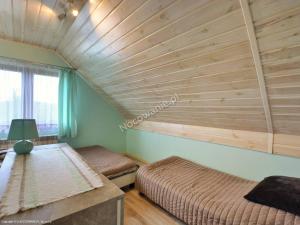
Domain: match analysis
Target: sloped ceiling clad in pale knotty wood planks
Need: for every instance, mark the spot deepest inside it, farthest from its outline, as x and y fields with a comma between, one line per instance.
x=141, y=52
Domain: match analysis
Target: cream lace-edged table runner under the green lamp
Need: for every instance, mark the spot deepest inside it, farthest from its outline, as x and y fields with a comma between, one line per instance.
x=46, y=175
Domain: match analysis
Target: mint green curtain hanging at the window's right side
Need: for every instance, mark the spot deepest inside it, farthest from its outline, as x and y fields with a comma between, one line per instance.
x=66, y=104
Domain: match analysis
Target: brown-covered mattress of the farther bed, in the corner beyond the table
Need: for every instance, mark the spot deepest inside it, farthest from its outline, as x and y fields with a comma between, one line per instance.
x=108, y=163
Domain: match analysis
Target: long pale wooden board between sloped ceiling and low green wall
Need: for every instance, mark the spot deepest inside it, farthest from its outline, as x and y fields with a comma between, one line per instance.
x=282, y=144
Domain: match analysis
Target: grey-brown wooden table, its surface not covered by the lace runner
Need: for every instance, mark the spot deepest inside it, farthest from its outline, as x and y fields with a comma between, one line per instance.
x=102, y=206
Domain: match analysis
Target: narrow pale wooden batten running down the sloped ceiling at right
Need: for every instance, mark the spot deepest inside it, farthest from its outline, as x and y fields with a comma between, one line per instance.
x=259, y=70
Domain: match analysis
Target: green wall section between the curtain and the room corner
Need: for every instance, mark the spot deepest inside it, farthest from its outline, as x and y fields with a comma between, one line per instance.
x=98, y=122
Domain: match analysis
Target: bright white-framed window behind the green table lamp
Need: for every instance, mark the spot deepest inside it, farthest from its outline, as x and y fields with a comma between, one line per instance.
x=28, y=94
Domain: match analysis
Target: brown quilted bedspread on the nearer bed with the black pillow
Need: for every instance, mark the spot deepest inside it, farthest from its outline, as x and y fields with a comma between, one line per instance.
x=199, y=195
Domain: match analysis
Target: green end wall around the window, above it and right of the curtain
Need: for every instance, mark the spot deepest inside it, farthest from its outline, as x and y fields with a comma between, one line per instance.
x=98, y=122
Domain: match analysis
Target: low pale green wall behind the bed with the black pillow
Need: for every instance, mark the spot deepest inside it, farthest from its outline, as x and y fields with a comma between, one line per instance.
x=241, y=162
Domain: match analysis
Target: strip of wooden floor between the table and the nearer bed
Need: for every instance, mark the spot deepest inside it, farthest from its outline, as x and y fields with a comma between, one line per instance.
x=140, y=211
